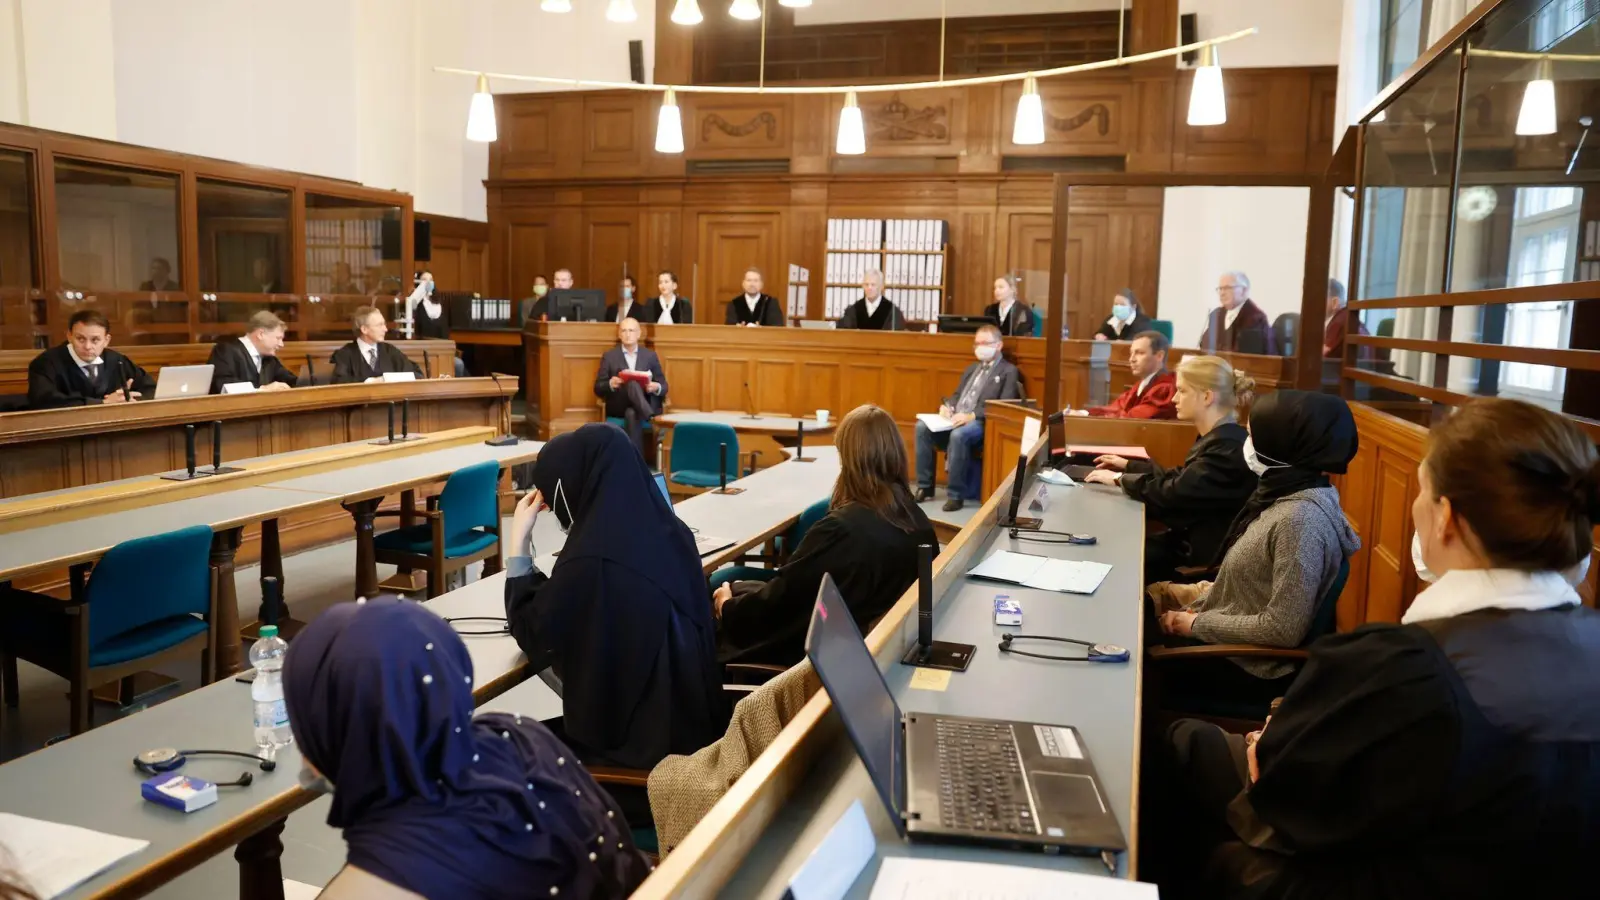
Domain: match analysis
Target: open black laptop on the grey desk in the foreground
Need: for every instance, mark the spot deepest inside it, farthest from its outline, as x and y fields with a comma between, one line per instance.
x=1023, y=785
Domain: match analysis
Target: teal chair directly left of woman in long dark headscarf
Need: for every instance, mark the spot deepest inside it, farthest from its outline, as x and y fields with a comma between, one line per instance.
x=462, y=528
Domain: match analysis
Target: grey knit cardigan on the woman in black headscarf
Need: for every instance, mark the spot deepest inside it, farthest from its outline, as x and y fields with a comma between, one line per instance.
x=1273, y=577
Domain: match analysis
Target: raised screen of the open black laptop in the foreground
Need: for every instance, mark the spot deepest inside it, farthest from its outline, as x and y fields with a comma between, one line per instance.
x=860, y=696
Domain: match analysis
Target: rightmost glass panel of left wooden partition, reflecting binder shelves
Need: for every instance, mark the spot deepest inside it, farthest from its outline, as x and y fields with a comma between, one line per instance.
x=353, y=247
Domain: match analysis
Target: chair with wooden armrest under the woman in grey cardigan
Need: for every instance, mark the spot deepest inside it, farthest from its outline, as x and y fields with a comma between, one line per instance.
x=1244, y=713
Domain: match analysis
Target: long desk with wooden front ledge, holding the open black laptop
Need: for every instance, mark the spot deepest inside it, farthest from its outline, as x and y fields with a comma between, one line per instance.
x=756, y=838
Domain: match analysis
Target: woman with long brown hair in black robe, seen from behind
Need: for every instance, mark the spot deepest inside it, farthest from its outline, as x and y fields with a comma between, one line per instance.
x=868, y=542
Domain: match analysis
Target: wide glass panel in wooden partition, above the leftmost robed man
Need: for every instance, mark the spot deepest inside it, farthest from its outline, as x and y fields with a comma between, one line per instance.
x=118, y=228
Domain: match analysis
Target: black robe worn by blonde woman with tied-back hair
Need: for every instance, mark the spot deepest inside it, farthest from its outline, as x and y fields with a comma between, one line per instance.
x=1198, y=502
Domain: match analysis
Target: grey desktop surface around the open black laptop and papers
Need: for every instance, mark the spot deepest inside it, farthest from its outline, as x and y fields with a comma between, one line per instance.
x=1100, y=701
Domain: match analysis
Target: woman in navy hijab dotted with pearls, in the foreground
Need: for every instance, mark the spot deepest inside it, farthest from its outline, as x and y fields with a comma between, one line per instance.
x=434, y=802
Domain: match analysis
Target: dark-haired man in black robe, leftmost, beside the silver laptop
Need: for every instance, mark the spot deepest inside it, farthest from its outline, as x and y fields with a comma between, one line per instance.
x=84, y=369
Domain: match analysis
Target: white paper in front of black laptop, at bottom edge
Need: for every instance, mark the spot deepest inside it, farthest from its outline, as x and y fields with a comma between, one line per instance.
x=905, y=878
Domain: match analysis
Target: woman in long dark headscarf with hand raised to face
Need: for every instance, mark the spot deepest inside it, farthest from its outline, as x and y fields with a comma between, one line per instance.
x=625, y=617
